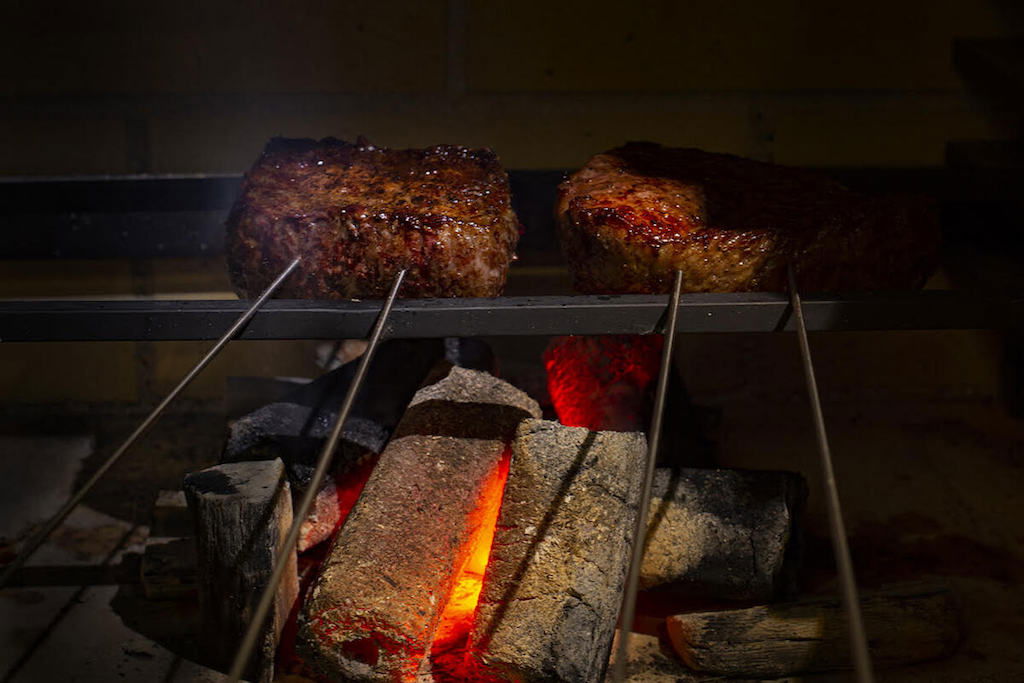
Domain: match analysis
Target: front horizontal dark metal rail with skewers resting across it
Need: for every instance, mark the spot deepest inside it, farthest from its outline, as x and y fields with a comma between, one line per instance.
x=198, y=320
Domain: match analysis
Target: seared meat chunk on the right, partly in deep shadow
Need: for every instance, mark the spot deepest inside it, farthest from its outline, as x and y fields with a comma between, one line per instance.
x=634, y=216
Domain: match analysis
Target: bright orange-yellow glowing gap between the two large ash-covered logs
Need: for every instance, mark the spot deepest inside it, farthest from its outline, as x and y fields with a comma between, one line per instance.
x=457, y=620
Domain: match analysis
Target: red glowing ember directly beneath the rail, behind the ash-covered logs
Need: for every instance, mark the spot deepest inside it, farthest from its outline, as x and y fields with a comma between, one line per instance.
x=604, y=383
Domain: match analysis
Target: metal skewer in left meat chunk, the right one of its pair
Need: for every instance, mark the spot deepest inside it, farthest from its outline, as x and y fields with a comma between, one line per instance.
x=323, y=462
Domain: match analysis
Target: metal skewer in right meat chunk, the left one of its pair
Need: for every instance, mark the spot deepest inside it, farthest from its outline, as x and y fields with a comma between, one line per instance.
x=628, y=612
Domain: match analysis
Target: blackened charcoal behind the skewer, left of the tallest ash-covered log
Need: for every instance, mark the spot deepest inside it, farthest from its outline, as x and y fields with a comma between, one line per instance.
x=294, y=430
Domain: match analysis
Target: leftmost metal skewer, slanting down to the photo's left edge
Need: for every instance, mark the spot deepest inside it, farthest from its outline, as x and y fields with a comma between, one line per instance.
x=36, y=541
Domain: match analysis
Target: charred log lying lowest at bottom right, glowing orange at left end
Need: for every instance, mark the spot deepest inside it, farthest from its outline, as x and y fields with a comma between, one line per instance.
x=906, y=625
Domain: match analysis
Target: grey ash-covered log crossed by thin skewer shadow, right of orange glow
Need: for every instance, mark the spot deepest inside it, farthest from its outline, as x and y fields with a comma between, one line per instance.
x=554, y=581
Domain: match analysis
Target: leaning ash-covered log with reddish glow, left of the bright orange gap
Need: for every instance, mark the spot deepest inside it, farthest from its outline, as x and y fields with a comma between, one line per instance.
x=375, y=609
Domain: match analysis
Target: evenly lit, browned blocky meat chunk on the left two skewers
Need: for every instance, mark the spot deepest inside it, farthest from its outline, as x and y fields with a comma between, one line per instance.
x=358, y=215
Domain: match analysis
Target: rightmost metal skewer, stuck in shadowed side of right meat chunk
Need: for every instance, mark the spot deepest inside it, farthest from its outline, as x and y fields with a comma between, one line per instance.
x=841, y=548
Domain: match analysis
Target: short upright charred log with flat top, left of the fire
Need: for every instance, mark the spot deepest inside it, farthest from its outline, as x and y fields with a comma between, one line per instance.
x=242, y=513
